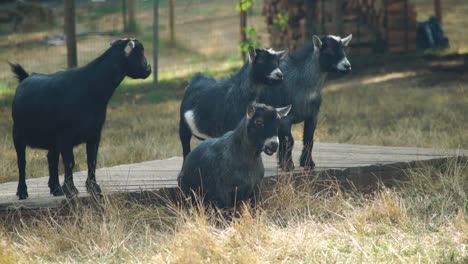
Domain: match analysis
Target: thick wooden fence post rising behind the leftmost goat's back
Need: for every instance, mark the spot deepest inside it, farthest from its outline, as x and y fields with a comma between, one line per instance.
x=70, y=33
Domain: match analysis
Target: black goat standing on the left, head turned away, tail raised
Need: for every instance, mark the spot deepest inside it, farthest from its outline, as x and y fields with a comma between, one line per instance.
x=61, y=110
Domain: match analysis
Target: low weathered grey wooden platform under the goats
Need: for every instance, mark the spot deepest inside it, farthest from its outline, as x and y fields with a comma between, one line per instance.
x=361, y=166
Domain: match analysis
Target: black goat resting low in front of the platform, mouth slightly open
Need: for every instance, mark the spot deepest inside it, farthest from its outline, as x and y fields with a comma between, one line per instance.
x=229, y=168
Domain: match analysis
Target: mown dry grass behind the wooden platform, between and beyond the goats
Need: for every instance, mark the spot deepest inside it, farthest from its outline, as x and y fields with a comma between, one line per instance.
x=424, y=109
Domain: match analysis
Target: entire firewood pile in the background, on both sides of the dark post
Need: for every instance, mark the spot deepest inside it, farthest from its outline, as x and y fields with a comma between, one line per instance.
x=376, y=25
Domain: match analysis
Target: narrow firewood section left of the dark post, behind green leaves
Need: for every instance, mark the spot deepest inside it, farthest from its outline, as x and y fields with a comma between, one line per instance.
x=285, y=22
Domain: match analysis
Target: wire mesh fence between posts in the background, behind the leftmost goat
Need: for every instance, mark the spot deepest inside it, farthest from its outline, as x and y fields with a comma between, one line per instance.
x=206, y=33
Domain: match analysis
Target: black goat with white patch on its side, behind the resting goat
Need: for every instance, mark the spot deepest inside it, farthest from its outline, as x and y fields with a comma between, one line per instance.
x=210, y=107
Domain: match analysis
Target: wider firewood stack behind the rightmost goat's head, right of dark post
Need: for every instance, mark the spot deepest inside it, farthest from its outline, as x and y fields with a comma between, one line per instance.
x=376, y=25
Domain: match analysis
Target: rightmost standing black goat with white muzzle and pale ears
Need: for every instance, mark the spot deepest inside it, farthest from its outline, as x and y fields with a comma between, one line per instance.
x=305, y=73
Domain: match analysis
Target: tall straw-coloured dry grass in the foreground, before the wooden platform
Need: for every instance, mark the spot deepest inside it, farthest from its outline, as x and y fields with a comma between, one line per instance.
x=292, y=224
